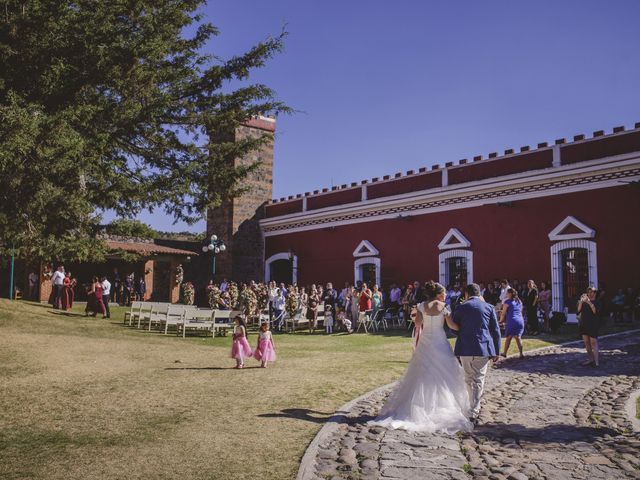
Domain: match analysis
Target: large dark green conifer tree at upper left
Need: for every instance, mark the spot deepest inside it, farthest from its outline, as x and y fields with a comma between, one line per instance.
x=109, y=105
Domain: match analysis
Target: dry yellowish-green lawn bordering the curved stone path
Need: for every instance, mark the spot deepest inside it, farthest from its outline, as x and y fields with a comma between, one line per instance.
x=90, y=398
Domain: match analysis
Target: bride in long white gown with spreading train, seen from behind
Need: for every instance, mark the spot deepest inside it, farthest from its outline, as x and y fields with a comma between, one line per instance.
x=432, y=396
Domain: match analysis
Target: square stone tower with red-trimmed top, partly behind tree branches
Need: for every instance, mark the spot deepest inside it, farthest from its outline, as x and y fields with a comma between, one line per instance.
x=236, y=222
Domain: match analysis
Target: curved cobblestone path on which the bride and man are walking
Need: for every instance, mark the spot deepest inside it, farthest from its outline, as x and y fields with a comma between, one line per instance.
x=544, y=417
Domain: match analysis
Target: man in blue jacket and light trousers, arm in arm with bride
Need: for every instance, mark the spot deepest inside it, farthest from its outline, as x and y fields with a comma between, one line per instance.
x=478, y=342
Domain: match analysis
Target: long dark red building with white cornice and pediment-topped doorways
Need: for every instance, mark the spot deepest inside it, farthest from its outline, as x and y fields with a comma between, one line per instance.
x=567, y=213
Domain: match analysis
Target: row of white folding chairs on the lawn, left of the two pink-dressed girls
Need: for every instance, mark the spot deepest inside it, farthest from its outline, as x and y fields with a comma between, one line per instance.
x=162, y=316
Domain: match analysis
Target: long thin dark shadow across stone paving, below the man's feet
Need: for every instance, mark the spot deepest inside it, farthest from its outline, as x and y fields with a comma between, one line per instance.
x=556, y=433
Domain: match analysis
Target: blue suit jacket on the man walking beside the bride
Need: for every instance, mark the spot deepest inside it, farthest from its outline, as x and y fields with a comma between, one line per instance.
x=478, y=330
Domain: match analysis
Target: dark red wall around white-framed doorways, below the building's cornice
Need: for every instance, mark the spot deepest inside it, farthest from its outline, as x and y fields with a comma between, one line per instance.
x=506, y=241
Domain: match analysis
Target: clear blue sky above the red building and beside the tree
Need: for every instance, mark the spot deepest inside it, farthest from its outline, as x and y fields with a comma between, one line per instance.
x=392, y=86
